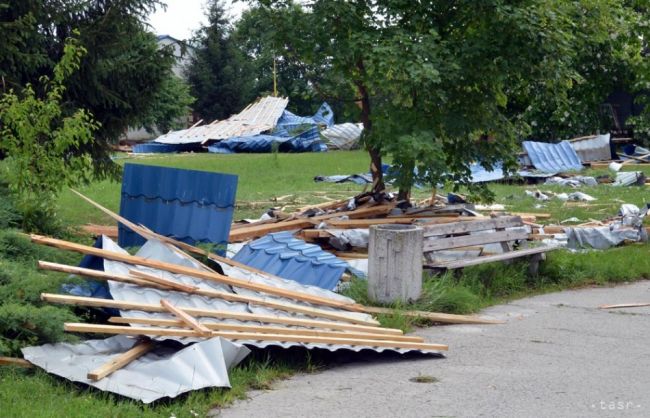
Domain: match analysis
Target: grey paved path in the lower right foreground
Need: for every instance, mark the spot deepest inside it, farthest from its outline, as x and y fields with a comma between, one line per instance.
x=557, y=356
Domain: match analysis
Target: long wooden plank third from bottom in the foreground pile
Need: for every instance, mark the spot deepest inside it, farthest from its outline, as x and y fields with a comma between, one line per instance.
x=241, y=316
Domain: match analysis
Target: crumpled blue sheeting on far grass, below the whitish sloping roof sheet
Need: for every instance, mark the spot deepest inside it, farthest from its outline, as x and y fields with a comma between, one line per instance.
x=307, y=141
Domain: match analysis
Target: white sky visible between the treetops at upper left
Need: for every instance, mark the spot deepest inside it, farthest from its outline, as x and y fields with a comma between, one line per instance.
x=183, y=17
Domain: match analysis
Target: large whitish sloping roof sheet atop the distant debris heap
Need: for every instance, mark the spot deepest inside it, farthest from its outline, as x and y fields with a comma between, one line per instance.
x=258, y=117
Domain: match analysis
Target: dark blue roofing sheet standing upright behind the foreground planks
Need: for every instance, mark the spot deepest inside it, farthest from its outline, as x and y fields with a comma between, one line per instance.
x=189, y=205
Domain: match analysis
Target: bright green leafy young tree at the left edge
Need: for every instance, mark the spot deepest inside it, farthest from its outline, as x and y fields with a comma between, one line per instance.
x=41, y=142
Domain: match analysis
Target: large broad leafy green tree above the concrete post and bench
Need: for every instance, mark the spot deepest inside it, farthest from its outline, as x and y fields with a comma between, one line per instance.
x=441, y=84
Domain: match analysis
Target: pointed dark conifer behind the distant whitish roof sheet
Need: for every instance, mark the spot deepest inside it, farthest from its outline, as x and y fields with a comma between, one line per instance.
x=219, y=75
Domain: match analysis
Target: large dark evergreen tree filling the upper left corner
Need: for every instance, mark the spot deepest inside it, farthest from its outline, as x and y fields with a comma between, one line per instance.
x=119, y=76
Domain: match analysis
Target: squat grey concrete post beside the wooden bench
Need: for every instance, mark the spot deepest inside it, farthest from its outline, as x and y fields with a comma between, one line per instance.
x=395, y=263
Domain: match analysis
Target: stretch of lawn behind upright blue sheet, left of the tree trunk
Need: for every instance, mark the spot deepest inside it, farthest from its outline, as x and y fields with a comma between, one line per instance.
x=262, y=179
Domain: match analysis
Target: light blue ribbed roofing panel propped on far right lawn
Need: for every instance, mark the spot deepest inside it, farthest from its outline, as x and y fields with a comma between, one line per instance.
x=553, y=157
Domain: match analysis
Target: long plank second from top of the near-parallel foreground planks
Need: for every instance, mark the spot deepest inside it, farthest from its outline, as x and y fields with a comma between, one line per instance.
x=149, y=280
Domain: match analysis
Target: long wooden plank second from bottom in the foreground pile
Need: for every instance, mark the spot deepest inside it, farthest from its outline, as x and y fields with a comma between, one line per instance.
x=263, y=329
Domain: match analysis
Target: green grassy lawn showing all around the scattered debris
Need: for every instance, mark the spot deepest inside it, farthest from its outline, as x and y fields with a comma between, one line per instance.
x=263, y=178
